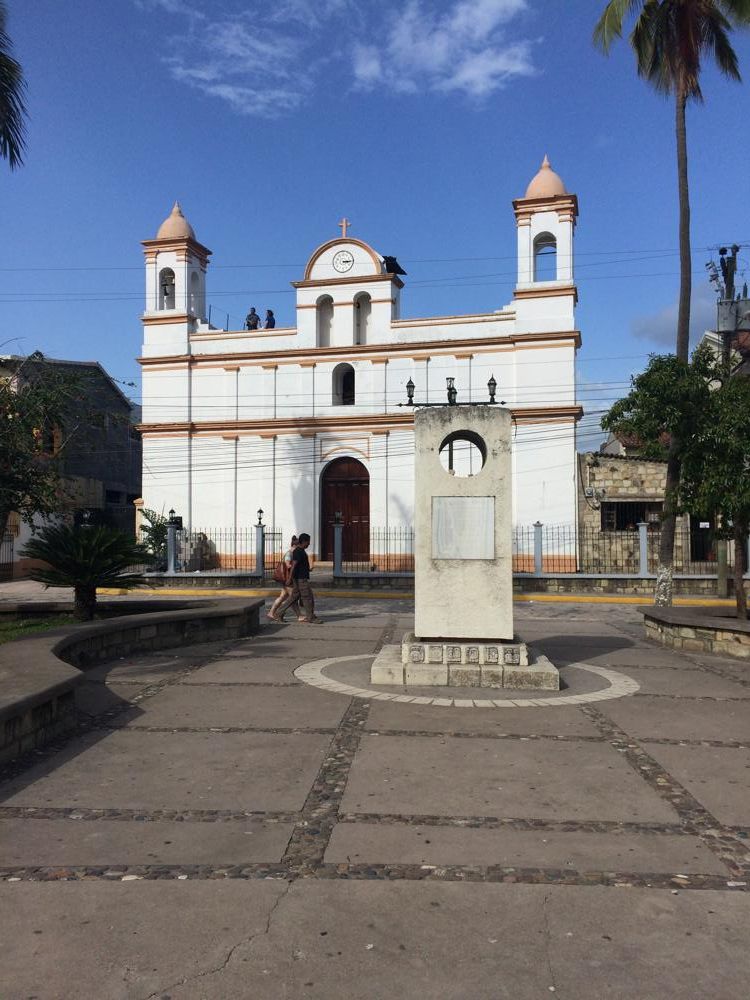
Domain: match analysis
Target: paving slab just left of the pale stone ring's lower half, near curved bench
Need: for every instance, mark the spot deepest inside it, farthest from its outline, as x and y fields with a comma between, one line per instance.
x=267, y=707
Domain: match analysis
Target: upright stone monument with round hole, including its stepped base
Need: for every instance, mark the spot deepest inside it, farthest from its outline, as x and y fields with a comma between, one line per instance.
x=463, y=560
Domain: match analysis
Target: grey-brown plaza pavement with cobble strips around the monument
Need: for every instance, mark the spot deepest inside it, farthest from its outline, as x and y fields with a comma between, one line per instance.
x=218, y=829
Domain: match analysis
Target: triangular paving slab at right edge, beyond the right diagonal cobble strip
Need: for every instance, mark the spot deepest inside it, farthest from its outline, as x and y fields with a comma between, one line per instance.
x=718, y=777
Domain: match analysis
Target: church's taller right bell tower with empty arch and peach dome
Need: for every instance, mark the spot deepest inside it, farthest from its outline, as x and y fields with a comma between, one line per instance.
x=545, y=294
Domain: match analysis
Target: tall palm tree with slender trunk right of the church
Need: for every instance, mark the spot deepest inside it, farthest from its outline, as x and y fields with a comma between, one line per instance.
x=670, y=39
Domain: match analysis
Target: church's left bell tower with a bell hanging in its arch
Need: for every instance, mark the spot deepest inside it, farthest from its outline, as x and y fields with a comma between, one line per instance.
x=175, y=285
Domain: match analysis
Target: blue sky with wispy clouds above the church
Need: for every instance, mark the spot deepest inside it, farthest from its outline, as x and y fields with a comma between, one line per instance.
x=420, y=121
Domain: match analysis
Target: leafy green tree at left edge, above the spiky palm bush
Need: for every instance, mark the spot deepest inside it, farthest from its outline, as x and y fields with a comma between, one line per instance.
x=33, y=403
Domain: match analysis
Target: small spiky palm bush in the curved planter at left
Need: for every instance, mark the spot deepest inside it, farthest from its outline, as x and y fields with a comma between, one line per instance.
x=85, y=558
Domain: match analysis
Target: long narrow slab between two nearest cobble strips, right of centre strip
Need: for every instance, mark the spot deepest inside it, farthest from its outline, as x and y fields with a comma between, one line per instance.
x=376, y=843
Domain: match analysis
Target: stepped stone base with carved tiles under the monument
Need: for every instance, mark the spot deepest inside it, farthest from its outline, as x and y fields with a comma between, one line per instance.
x=465, y=664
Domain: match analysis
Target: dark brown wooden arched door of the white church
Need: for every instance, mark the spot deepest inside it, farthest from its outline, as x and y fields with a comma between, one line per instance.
x=345, y=489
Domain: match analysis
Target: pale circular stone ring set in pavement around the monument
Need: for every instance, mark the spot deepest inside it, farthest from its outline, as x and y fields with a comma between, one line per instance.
x=312, y=673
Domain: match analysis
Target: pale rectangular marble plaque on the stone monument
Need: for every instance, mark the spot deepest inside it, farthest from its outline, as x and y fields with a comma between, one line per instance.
x=463, y=527
